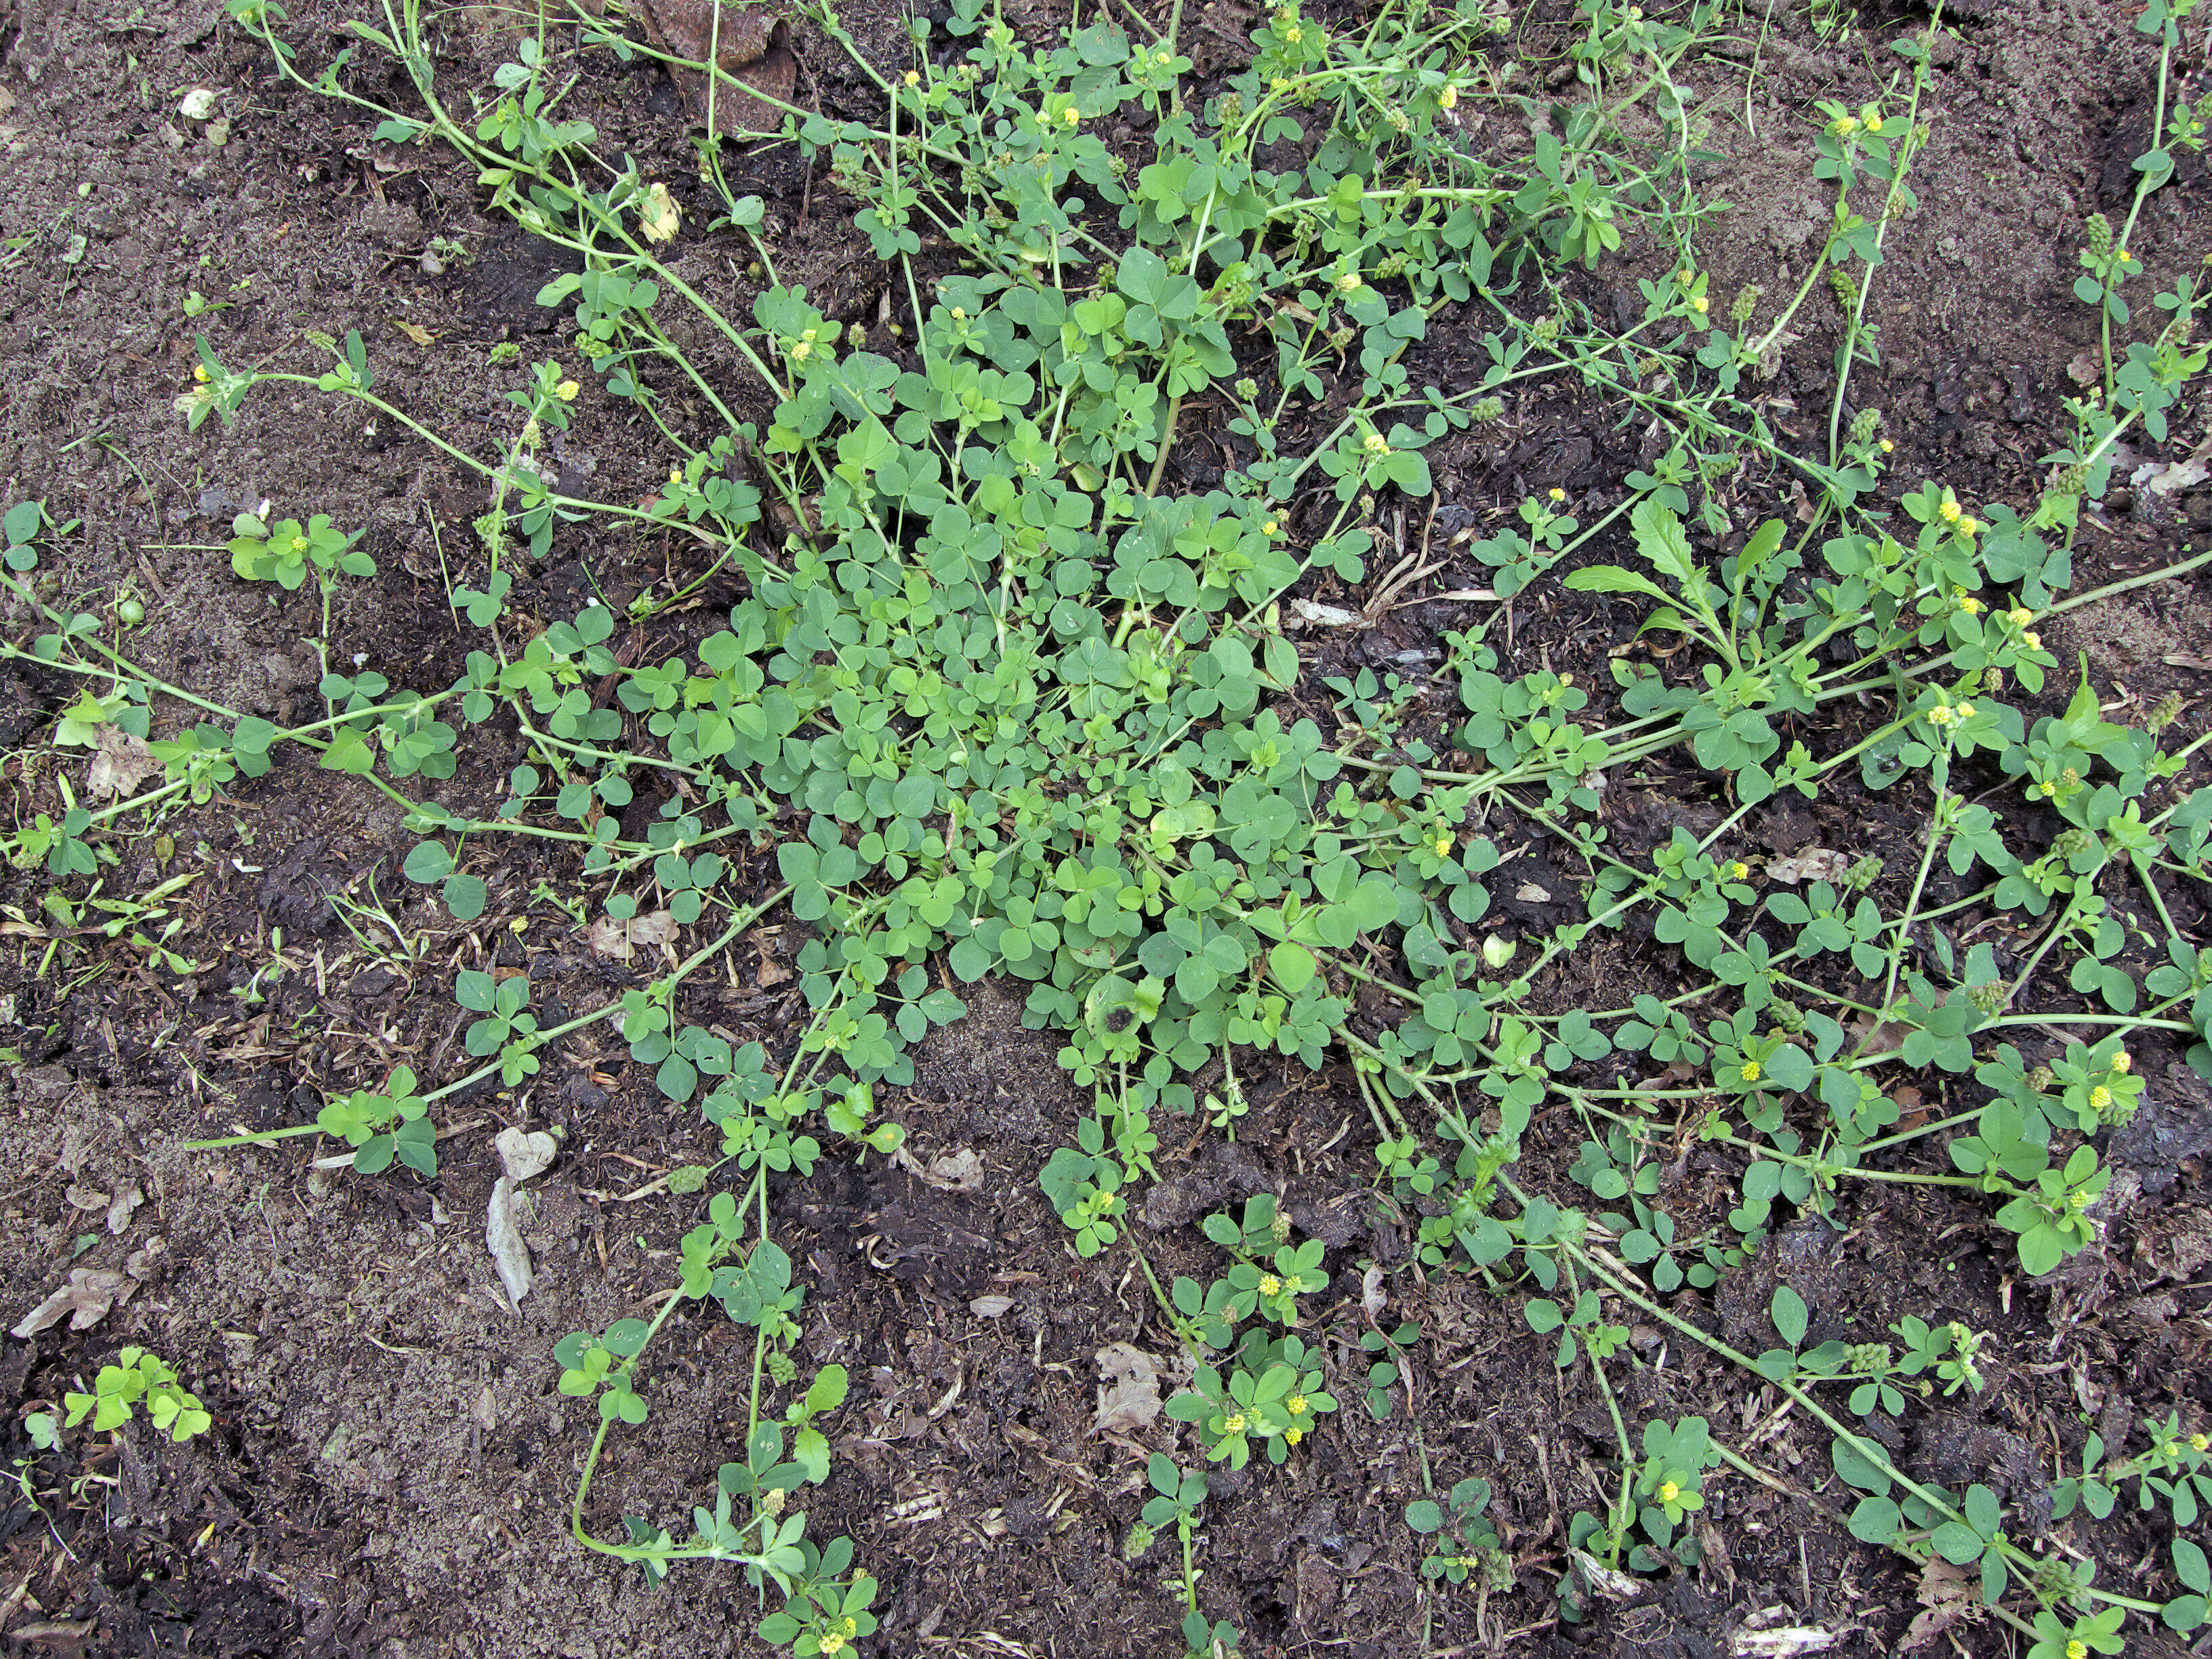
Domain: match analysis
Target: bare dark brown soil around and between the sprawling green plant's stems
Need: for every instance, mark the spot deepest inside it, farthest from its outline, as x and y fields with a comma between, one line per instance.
x=390, y=1465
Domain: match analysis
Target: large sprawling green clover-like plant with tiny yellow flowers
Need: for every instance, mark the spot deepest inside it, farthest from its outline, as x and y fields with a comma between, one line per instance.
x=1005, y=698
